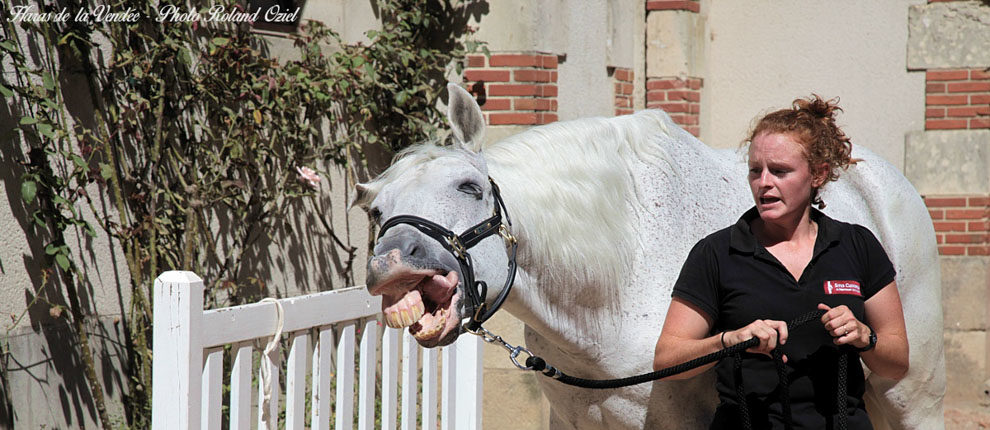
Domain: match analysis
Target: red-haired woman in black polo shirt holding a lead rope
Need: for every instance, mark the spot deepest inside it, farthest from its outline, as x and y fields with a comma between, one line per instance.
x=782, y=259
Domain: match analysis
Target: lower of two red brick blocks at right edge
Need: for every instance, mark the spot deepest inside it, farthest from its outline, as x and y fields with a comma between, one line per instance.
x=962, y=224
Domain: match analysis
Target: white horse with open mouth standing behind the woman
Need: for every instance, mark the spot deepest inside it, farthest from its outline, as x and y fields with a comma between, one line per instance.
x=605, y=212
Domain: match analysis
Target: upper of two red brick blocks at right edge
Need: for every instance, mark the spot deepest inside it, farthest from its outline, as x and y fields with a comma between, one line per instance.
x=957, y=99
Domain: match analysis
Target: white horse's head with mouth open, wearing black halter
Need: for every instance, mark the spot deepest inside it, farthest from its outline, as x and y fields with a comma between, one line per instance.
x=414, y=267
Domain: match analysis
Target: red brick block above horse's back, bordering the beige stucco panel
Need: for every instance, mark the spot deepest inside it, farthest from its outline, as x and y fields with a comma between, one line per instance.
x=681, y=98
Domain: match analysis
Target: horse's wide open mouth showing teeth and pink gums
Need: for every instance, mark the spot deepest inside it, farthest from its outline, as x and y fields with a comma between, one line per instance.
x=421, y=300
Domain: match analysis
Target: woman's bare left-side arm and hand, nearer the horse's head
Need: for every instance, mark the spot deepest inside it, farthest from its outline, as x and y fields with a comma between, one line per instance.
x=685, y=337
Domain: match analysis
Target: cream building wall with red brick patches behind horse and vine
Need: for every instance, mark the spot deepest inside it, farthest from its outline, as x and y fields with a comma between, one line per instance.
x=899, y=67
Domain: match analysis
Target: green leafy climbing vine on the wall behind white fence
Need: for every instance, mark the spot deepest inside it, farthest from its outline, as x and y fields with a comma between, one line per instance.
x=196, y=138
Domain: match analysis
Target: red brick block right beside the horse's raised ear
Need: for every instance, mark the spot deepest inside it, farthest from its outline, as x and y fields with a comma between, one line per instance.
x=514, y=88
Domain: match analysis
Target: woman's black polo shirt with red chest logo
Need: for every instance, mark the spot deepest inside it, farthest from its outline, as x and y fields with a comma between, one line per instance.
x=736, y=281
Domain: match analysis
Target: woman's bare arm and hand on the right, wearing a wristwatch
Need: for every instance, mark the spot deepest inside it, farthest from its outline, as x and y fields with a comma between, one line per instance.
x=883, y=311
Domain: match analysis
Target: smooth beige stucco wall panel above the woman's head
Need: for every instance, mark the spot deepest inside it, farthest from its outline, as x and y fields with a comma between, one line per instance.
x=763, y=54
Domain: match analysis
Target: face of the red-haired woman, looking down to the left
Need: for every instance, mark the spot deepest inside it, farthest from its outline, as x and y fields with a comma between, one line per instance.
x=779, y=177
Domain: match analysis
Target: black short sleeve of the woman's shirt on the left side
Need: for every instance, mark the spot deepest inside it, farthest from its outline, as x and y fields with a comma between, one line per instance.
x=698, y=281
